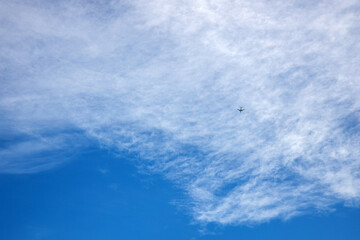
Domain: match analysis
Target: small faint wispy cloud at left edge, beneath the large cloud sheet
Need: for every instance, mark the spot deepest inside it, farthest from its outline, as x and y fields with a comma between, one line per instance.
x=31, y=154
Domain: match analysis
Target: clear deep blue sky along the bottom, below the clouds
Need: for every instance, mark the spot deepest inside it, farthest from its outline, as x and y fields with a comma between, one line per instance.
x=99, y=196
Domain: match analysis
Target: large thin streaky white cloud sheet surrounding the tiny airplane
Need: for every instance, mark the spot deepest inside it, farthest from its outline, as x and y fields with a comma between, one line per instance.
x=163, y=79
